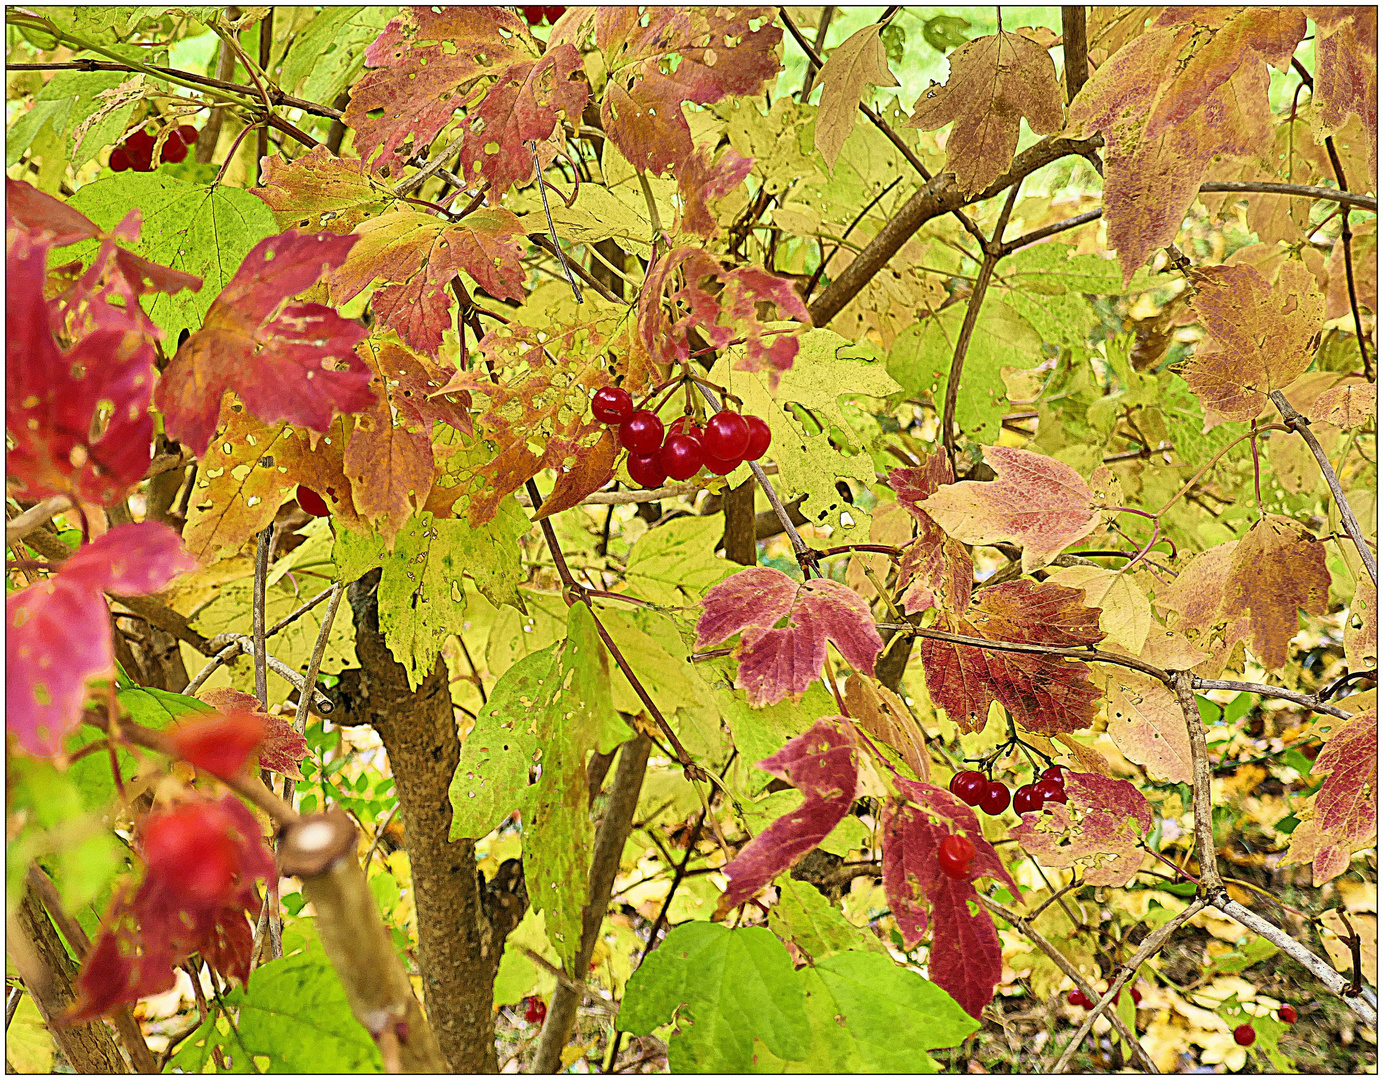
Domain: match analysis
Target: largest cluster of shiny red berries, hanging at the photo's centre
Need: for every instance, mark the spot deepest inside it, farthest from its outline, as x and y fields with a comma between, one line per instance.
x=685, y=447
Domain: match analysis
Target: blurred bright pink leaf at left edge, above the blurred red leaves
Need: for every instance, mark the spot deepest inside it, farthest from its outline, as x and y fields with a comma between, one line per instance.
x=60, y=630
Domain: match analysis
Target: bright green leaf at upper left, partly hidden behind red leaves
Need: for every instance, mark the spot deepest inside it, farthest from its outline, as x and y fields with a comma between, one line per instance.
x=204, y=230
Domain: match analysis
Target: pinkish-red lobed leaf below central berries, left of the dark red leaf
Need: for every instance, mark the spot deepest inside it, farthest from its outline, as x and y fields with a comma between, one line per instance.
x=781, y=662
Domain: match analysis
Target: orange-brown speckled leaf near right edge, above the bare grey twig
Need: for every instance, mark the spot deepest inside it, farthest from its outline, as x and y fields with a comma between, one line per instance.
x=1261, y=337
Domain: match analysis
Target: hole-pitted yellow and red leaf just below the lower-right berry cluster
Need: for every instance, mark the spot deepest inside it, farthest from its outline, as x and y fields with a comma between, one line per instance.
x=1100, y=828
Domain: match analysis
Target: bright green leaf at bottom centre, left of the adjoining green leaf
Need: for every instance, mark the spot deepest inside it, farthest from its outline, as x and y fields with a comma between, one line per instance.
x=725, y=989
